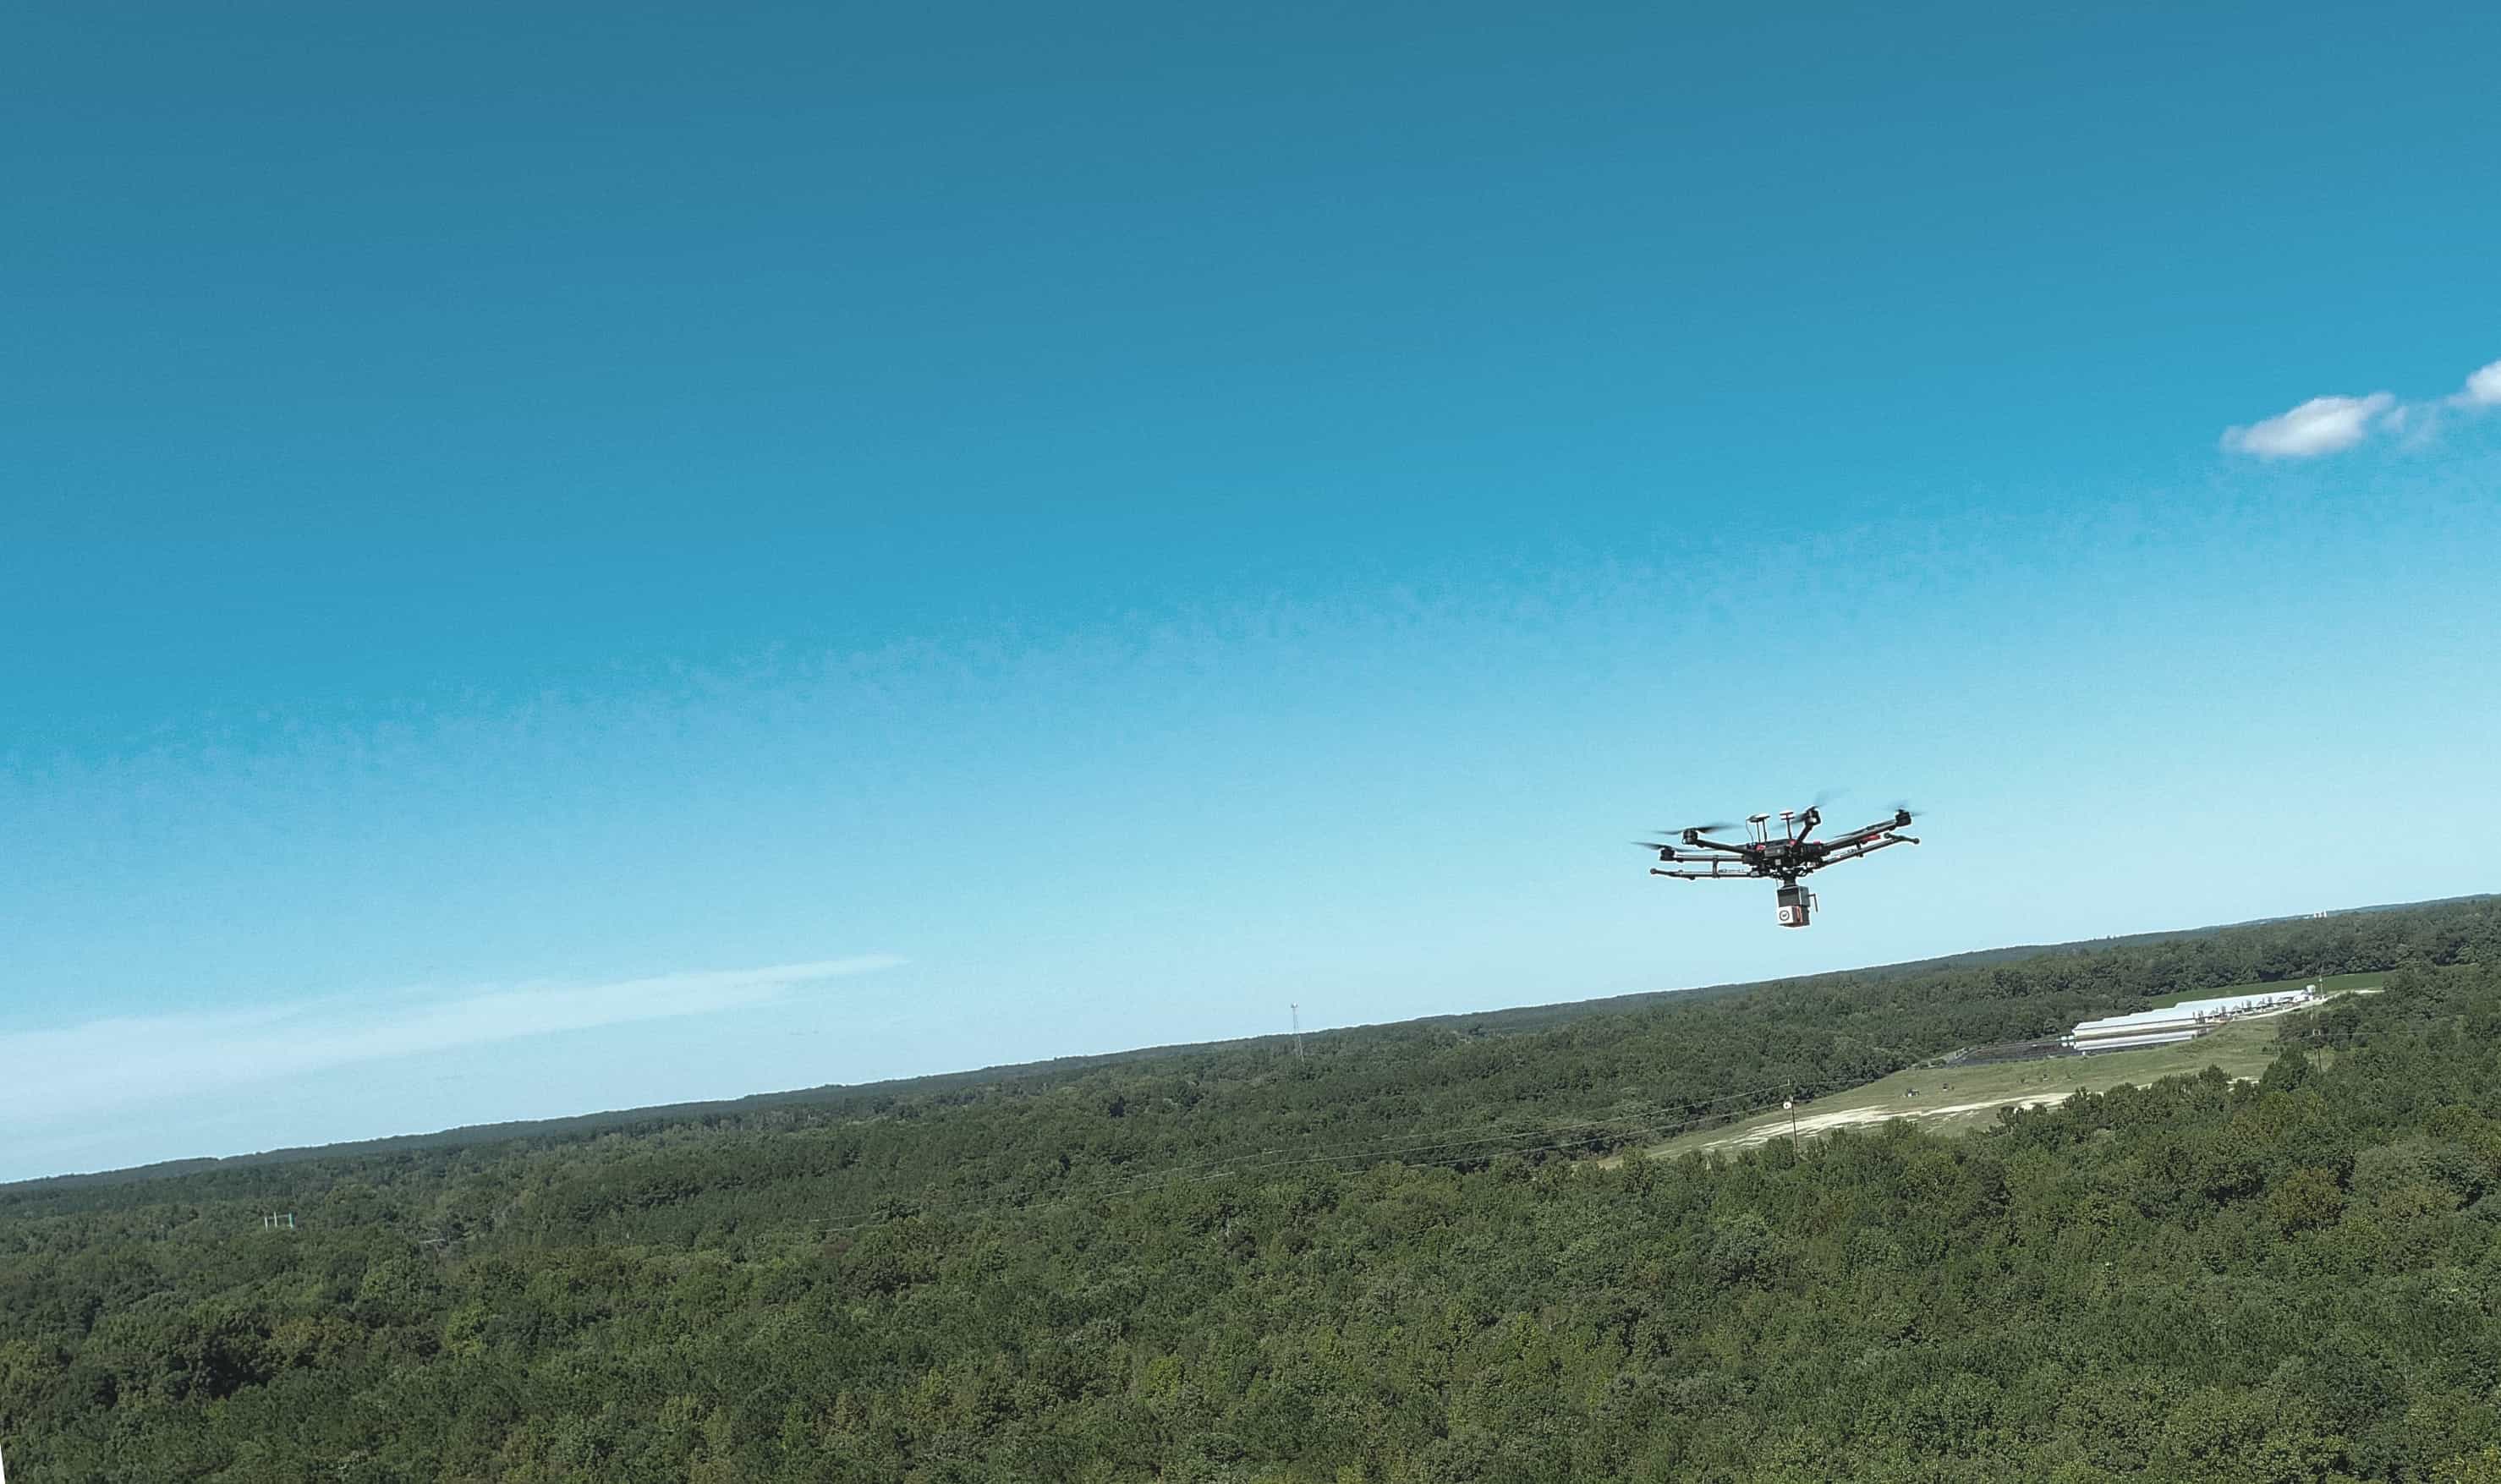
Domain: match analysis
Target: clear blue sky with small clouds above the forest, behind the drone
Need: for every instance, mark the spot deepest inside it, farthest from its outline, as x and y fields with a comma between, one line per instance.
x=606, y=558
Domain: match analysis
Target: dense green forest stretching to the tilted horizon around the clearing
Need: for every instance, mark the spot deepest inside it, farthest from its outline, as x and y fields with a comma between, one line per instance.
x=1407, y=1255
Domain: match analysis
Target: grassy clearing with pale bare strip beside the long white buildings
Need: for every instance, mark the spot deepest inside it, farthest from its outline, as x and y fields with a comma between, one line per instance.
x=1967, y=1098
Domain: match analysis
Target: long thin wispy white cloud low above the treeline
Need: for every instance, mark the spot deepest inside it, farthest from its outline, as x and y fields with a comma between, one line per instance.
x=51, y=1076
